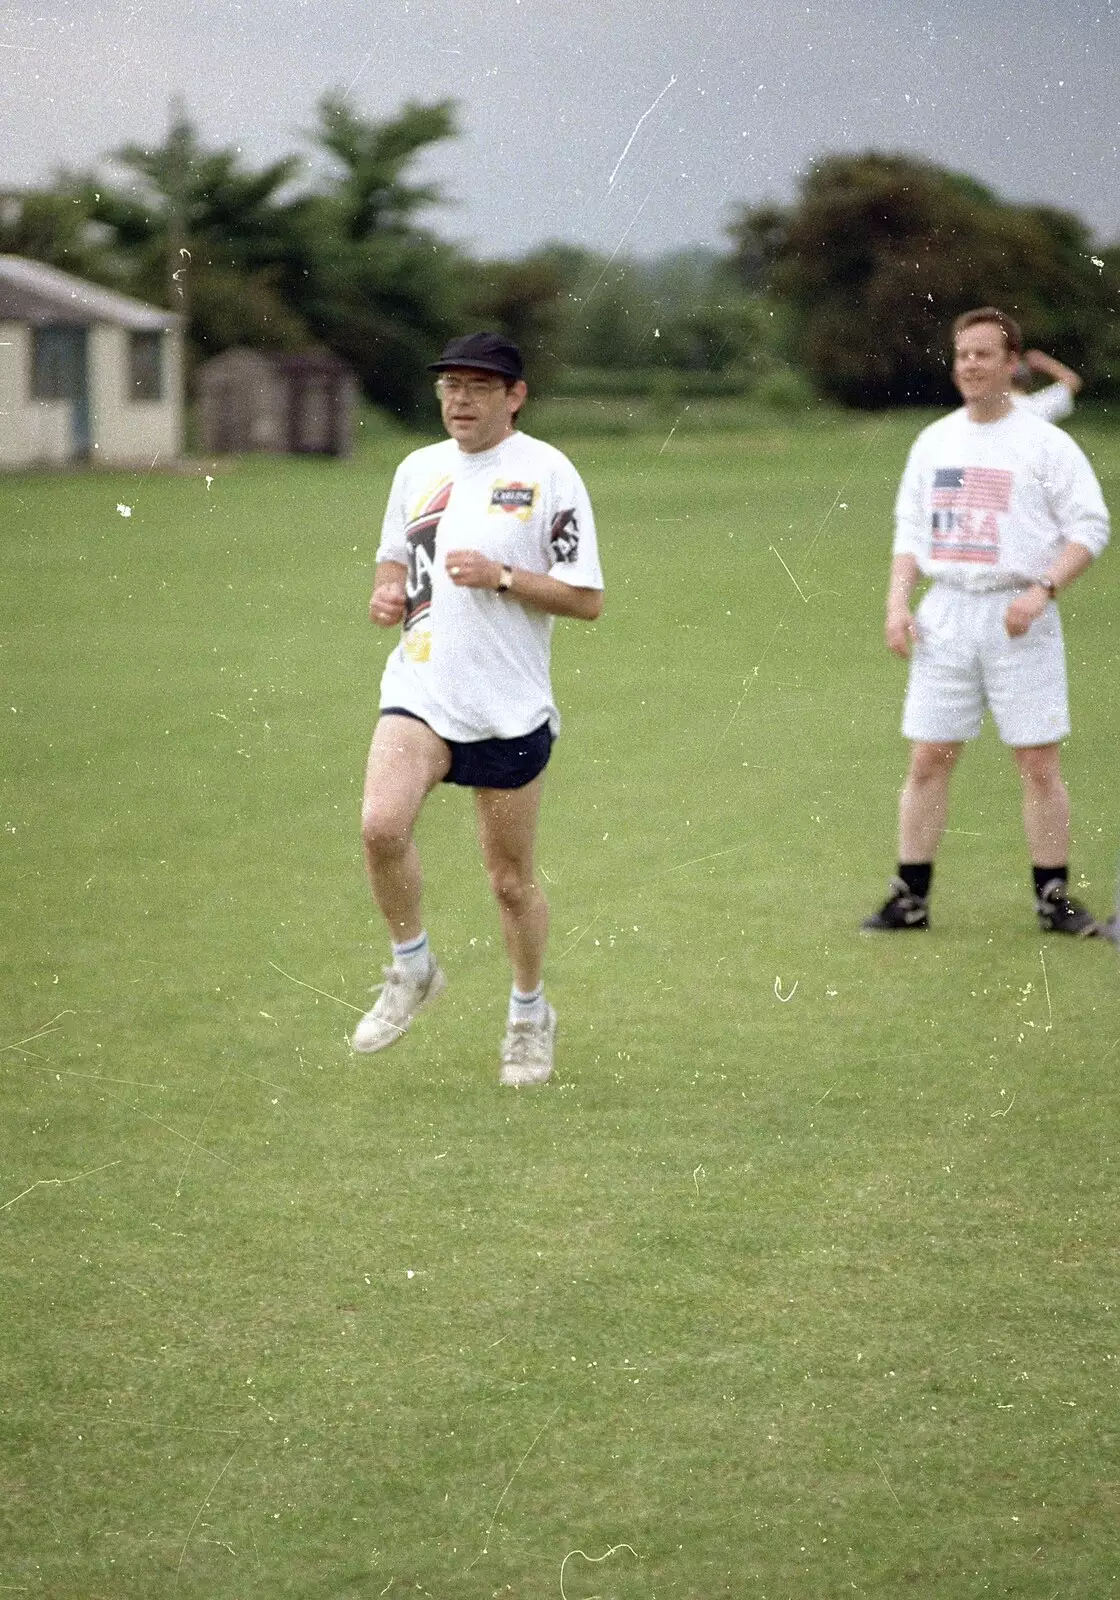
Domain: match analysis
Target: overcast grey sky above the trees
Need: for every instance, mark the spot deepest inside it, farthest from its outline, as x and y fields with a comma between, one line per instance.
x=601, y=122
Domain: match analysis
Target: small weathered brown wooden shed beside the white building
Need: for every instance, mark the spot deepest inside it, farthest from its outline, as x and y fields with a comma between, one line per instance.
x=289, y=404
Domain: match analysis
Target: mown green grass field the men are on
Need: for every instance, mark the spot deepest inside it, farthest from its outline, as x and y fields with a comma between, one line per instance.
x=798, y=1281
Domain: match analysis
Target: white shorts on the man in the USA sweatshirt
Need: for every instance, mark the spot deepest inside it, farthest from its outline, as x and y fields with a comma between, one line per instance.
x=966, y=662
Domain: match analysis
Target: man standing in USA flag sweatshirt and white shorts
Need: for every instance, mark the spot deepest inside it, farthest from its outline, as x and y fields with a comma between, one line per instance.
x=1002, y=511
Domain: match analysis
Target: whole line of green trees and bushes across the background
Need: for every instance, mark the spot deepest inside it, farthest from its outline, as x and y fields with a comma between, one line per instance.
x=854, y=286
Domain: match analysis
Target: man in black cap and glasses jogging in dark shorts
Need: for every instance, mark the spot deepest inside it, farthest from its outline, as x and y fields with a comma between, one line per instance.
x=487, y=538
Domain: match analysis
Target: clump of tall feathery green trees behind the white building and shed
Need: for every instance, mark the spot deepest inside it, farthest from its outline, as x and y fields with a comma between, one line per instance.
x=247, y=262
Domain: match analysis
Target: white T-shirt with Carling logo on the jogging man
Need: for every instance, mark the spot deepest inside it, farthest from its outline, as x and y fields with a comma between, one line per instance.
x=474, y=663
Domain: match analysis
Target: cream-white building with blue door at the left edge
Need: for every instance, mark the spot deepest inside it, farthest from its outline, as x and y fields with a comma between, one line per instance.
x=86, y=374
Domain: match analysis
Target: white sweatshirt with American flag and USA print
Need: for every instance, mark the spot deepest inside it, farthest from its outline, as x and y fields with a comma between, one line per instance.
x=991, y=505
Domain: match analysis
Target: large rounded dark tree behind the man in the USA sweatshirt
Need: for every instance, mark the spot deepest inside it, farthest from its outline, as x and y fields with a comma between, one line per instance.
x=882, y=252
